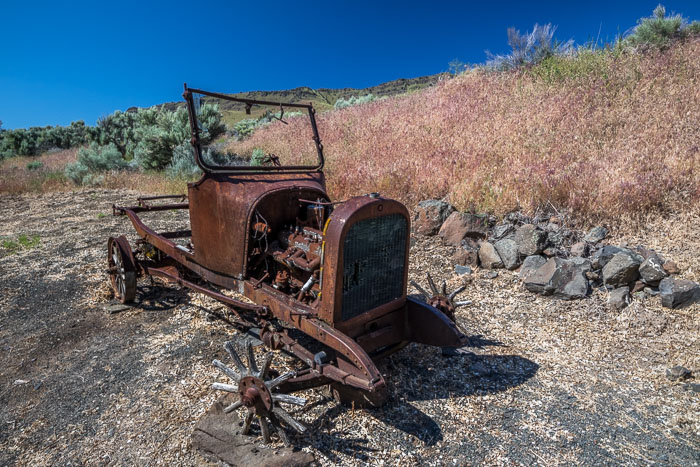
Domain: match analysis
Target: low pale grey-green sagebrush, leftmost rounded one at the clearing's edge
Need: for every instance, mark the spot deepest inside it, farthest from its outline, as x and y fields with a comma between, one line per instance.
x=93, y=161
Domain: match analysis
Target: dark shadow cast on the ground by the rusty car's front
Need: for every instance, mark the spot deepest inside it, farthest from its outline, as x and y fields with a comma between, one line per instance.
x=421, y=374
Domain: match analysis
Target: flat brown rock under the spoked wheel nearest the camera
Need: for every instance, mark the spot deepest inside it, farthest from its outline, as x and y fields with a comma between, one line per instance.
x=217, y=436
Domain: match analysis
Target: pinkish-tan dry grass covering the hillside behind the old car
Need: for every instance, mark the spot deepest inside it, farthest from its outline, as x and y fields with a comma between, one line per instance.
x=621, y=136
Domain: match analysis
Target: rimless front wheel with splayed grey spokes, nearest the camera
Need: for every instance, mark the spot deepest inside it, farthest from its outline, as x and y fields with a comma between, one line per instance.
x=254, y=388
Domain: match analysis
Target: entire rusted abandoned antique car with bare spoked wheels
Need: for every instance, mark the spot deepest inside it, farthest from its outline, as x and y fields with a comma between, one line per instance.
x=327, y=280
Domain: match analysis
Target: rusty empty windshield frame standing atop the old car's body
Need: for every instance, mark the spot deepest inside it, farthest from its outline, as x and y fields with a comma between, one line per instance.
x=208, y=168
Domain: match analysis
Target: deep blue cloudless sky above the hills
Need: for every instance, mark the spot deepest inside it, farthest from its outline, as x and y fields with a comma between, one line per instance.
x=83, y=60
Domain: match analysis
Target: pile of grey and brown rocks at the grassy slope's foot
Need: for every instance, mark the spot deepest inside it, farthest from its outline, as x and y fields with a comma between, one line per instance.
x=553, y=260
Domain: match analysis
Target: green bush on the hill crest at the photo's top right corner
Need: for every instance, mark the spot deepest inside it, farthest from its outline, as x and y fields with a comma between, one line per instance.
x=660, y=30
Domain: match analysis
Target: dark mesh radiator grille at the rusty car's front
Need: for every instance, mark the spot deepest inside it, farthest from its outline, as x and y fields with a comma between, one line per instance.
x=373, y=264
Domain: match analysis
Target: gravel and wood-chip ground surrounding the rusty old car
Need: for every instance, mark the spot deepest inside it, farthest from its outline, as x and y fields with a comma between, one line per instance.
x=548, y=382
